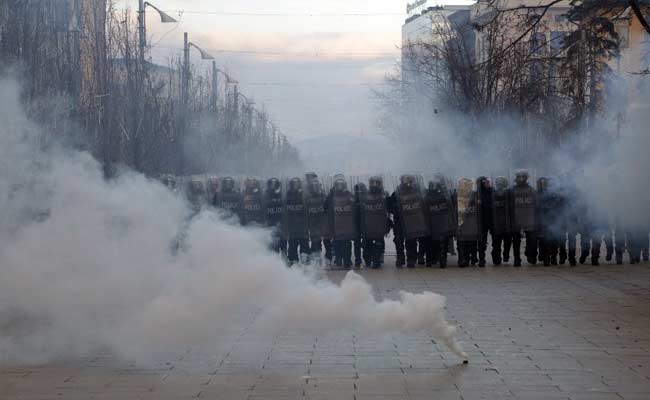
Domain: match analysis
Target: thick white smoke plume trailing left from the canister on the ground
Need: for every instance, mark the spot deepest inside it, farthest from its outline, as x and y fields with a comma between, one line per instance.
x=87, y=264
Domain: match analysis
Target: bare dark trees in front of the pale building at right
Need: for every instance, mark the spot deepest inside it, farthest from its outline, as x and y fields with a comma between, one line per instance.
x=551, y=81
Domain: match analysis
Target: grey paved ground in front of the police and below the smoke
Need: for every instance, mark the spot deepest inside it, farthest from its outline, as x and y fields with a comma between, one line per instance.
x=532, y=333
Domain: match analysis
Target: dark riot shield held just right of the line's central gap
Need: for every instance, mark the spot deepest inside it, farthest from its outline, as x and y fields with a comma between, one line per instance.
x=411, y=208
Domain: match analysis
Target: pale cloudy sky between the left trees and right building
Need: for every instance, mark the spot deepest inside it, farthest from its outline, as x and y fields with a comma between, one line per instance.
x=313, y=73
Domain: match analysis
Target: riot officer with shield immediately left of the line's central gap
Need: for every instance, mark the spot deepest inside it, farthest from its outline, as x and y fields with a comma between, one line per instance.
x=374, y=221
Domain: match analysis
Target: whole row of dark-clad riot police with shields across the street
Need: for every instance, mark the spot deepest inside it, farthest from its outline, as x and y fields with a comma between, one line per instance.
x=324, y=221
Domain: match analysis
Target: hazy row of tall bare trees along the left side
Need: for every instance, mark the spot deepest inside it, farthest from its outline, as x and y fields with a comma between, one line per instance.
x=86, y=81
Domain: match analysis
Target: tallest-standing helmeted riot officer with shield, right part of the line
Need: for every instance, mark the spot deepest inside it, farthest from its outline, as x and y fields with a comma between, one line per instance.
x=525, y=218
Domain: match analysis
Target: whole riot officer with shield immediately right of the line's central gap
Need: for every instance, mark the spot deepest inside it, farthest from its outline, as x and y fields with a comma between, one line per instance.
x=406, y=205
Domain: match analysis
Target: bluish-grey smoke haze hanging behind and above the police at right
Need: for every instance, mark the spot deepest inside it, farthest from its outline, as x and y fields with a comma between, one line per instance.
x=609, y=172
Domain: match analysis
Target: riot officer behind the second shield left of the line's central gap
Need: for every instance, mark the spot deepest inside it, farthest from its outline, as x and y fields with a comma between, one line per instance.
x=342, y=210
